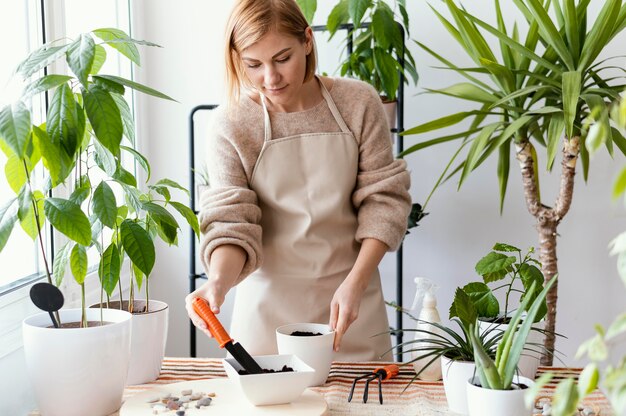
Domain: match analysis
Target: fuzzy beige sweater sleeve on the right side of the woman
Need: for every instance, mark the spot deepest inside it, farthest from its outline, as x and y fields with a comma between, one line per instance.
x=381, y=194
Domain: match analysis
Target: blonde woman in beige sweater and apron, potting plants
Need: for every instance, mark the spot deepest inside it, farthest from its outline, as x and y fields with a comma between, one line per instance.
x=305, y=194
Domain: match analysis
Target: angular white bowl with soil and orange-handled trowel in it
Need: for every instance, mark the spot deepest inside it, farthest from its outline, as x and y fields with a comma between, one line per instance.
x=271, y=388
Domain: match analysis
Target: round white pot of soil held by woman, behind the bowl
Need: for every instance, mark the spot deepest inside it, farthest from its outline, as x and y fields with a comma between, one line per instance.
x=316, y=351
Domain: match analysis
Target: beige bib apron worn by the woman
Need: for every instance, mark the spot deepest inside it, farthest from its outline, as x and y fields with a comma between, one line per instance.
x=304, y=184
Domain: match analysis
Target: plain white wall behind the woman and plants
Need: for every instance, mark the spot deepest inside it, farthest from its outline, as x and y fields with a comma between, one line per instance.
x=462, y=226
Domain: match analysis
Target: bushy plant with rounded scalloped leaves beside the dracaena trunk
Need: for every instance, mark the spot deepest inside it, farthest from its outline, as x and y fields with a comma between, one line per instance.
x=506, y=269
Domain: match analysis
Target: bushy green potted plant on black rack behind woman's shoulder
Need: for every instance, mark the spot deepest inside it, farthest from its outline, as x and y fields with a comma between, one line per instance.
x=379, y=54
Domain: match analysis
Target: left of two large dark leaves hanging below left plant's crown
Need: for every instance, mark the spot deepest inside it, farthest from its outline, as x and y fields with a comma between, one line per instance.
x=62, y=121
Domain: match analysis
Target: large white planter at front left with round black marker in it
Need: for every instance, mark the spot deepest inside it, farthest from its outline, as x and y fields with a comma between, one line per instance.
x=78, y=371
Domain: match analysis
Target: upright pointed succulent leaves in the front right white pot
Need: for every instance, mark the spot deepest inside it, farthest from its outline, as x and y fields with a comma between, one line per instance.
x=498, y=374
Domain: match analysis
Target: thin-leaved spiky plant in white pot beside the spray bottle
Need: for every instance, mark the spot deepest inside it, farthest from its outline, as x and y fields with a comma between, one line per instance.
x=453, y=347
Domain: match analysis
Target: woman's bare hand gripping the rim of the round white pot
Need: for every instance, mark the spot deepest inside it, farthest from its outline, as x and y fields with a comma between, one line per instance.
x=344, y=308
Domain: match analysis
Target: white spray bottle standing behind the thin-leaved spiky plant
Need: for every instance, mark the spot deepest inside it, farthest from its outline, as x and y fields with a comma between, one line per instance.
x=425, y=309
